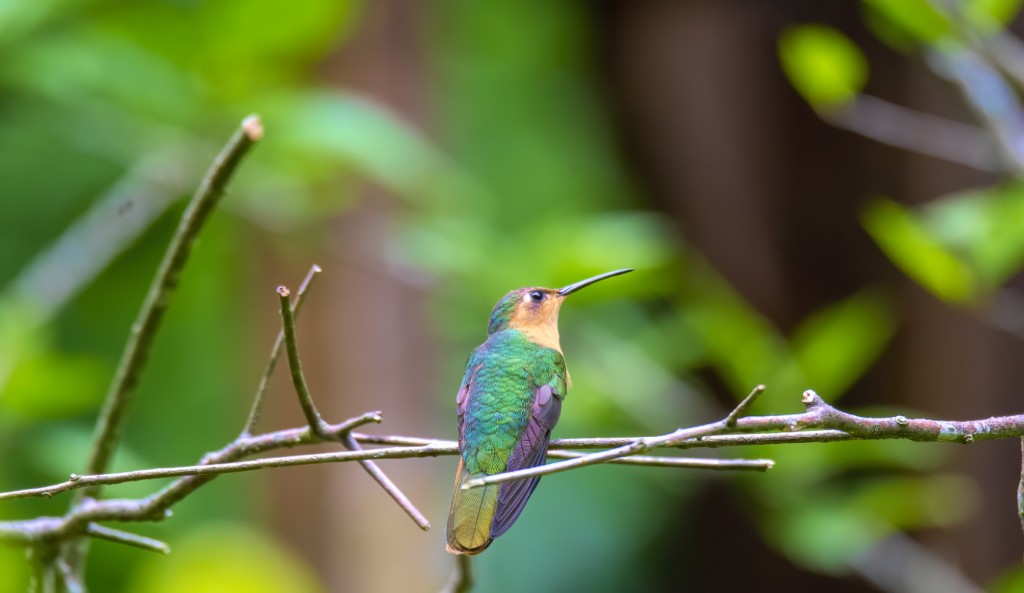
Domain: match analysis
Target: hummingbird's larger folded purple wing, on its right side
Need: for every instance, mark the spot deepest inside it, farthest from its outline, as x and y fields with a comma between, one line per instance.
x=531, y=451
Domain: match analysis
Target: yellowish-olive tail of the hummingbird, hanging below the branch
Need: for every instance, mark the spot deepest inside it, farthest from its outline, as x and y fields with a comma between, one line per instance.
x=472, y=515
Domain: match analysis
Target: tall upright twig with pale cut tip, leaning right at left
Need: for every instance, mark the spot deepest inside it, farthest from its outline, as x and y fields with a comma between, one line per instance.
x=144, y=331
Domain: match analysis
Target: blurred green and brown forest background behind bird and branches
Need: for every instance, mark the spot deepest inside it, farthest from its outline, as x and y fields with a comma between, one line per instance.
x=816, y=195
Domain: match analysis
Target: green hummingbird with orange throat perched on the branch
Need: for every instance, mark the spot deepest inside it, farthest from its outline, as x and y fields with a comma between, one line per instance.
x=509, y=402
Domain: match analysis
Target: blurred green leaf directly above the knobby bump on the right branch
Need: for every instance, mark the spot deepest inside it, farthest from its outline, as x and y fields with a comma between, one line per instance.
x=837, y=345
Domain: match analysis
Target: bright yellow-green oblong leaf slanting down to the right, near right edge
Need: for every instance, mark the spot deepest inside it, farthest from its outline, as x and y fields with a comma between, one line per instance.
x=918, y=252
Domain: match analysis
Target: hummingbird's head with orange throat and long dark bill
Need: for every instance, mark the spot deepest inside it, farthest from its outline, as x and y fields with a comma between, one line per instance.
x=534, y=311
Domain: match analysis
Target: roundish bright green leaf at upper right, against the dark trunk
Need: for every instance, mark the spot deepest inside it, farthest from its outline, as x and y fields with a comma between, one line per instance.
x=823, y=65
